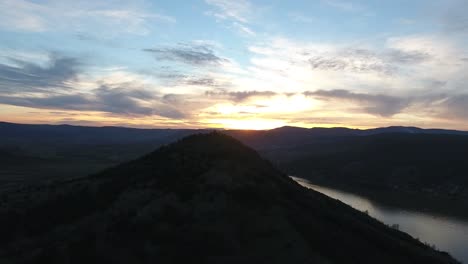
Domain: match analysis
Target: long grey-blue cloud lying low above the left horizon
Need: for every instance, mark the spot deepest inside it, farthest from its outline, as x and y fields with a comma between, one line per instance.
x=119, y=101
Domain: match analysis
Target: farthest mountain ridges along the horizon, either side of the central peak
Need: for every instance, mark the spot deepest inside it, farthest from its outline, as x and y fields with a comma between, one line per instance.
x=122, y=135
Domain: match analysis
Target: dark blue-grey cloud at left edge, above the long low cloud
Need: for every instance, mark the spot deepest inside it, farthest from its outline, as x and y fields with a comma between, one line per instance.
x=22, y=76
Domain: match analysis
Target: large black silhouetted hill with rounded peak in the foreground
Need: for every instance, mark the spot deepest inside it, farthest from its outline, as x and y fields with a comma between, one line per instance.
x=205, y=199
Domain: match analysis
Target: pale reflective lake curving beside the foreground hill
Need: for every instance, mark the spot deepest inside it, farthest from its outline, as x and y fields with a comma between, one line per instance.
x=447, y=234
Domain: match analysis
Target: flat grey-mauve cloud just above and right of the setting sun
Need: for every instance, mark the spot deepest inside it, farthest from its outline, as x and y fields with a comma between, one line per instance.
x=376, y=104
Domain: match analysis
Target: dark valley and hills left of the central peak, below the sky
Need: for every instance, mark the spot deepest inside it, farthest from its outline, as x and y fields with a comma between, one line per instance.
x=36, y=153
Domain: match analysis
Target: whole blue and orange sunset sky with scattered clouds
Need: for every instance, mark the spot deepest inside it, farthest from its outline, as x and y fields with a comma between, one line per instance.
x=243, y=64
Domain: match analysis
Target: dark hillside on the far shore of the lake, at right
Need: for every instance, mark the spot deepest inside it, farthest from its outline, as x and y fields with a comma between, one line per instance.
x=423, y=172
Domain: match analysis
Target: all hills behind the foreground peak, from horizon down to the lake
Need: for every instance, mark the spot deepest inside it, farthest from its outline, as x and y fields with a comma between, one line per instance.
x=423, y=163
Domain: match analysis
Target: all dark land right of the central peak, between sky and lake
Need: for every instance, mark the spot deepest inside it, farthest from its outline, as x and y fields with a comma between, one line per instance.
x=423, y=169
